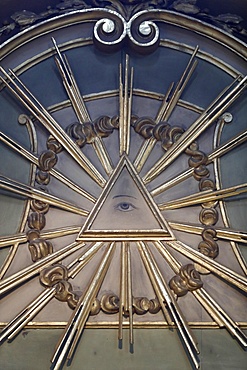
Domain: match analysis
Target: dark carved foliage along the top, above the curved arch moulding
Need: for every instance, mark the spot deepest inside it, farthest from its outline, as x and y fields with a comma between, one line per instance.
x=229, y=22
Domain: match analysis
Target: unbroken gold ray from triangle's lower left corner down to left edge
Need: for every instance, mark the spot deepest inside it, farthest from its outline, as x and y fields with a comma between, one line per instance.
x=22, y=276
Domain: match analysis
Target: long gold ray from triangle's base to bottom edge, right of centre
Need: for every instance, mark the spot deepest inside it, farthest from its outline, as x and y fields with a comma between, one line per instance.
x=184, y=330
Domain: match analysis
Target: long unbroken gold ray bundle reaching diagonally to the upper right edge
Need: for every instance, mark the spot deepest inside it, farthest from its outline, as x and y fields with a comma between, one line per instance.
x=216, y=108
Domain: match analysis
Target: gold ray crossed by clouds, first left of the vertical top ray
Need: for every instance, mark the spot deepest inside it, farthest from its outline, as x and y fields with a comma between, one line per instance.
x=79, y=106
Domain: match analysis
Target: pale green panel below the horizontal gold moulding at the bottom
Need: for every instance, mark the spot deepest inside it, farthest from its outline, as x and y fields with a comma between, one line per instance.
x=154, y=349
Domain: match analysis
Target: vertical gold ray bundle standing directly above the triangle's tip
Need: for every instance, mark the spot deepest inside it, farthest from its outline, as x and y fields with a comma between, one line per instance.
x=125, y=106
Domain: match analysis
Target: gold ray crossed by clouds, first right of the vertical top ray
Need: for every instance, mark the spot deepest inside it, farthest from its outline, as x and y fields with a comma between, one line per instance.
x=167, y=106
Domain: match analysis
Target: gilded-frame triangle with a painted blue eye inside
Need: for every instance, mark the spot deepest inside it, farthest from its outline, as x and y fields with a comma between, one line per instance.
x=125, y=210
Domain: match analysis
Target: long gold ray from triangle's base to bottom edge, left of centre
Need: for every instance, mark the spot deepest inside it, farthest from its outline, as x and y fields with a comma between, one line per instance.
x=74, y=328
